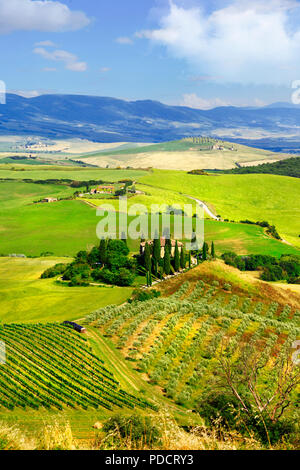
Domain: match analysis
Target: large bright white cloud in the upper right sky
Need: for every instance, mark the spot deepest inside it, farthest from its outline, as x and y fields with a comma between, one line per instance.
x=245, y=42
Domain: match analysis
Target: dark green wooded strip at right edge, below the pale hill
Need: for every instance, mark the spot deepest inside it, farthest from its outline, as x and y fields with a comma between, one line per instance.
x=288, y=167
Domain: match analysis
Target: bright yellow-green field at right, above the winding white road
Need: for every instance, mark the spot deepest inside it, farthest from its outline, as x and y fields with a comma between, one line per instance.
x=238, y=197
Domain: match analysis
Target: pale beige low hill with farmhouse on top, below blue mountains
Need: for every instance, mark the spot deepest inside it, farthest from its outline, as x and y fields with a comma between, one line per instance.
x=186, y=154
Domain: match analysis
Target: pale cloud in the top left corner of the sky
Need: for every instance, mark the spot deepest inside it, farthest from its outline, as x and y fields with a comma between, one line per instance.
x=40, y=15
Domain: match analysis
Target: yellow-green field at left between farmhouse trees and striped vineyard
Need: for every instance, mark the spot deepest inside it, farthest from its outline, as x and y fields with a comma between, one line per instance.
x=24, y=297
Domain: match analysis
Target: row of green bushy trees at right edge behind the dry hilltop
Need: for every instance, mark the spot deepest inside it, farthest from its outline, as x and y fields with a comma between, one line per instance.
x=287, y=267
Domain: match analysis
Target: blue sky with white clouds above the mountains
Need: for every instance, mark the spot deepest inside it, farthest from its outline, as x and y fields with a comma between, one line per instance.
x=197, y=53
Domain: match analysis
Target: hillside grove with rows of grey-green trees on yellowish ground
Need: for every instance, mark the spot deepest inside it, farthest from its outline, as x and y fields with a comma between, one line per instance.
x=176, y=340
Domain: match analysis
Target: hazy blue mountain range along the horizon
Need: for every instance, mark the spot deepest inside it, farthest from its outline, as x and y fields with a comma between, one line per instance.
x=274, y=127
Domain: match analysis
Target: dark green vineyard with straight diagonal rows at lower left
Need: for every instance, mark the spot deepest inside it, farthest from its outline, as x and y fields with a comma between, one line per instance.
x=52, y=366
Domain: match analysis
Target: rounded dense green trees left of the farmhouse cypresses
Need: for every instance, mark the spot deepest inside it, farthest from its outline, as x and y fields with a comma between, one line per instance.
x=108, y=263
